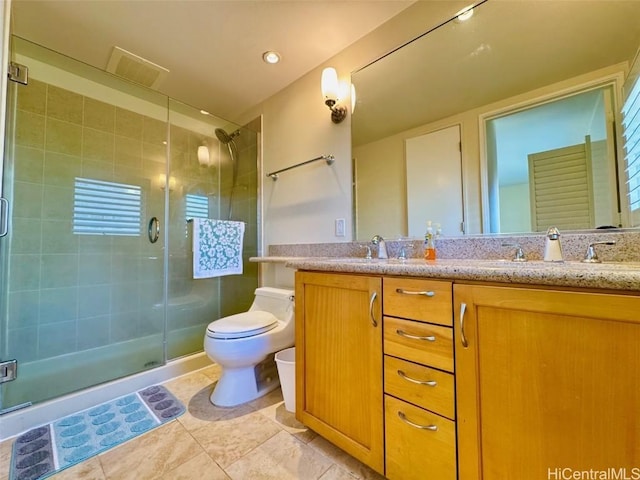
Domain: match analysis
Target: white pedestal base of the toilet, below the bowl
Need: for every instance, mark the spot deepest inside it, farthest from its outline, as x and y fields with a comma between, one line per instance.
x=241, y=385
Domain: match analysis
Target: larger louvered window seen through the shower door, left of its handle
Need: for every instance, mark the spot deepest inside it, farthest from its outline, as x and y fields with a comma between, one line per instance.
x=106, y=208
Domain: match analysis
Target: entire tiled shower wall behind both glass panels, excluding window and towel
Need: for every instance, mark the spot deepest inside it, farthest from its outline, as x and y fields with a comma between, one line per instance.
x=68, y=292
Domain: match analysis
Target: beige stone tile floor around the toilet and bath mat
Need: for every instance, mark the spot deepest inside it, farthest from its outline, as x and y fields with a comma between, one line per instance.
x=256, y=441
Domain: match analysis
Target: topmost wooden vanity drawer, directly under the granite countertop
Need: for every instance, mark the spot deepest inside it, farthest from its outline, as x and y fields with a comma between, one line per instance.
x=418, y=299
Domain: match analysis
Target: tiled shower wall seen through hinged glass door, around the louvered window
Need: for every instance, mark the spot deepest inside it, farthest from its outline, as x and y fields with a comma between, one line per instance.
x=75, y=292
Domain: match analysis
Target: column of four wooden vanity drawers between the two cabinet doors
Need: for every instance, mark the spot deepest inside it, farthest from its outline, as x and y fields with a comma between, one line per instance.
x=420, y=430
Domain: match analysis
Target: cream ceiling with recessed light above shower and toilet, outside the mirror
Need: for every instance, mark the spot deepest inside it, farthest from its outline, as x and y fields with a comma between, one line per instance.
x=212, y=48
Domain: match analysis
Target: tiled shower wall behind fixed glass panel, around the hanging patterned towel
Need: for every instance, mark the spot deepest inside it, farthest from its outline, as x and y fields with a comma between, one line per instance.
x=219, y=296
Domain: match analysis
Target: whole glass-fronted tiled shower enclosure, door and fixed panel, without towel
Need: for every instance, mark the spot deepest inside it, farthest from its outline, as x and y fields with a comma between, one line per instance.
x=100, y=178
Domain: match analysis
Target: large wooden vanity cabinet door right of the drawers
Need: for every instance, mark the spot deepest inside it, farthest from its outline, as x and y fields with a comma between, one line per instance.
x=546, y=380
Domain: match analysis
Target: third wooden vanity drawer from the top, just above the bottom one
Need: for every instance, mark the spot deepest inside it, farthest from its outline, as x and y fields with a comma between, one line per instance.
x=423, y=386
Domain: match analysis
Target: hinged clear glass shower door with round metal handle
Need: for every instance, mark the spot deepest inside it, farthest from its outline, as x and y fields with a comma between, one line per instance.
x=82, y=267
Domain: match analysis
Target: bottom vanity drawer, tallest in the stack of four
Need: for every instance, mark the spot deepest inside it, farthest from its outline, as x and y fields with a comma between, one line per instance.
x=418, y=453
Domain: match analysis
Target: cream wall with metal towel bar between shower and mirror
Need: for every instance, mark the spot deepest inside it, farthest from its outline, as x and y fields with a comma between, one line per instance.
x=301, y=206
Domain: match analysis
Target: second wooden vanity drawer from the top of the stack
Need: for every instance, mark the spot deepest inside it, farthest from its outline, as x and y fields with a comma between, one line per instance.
x=419, y=342
